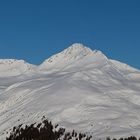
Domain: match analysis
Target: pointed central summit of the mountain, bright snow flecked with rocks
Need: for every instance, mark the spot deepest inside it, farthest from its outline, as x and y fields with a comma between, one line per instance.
x=70, y=56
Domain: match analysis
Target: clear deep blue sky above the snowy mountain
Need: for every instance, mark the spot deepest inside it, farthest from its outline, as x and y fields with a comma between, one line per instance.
x=33, y=30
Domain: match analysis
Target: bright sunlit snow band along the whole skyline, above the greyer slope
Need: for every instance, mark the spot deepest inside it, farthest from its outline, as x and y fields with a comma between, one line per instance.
x=69, y=57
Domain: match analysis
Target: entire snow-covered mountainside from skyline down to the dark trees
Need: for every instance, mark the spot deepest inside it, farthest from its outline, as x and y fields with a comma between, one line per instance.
x=77, y=88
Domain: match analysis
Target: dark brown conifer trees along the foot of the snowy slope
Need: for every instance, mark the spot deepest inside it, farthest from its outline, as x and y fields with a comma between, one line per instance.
x=48, y=131
